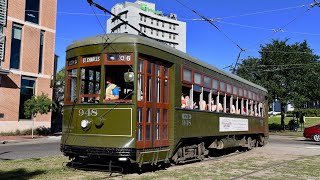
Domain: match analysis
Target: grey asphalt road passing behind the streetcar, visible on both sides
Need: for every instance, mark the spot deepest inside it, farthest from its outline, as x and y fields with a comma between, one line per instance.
x=51, y=147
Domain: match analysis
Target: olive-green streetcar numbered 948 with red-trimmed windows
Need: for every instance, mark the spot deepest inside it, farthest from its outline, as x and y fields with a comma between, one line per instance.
x=171, y=107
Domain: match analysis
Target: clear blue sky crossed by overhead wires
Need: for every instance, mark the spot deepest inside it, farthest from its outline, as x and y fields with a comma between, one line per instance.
x=247, y=23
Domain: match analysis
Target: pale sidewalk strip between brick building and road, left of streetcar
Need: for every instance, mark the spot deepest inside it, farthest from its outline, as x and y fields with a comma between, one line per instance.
x=27, y=138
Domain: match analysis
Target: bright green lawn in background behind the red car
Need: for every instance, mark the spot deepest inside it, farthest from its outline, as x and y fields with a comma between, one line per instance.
x=277, y=120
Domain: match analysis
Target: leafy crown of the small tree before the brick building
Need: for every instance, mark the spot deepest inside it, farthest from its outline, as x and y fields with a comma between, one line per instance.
x=38, y=105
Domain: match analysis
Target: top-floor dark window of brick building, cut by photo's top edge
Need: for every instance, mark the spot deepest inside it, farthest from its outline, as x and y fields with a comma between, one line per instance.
x=32, y=11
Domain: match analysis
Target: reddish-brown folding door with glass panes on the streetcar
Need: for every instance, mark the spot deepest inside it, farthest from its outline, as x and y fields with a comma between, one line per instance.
x=153, y=104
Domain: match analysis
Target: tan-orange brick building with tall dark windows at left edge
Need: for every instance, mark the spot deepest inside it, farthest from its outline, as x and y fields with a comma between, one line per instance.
x=27, y=41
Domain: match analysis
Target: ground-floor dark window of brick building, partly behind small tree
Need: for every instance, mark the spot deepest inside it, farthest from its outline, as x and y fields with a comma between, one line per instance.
x=26, y=92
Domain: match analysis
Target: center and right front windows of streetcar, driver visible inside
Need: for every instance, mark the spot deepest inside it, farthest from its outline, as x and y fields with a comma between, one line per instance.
x=105, y=87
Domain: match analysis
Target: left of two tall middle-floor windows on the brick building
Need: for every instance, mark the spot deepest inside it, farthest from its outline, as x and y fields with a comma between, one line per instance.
x=15, y=46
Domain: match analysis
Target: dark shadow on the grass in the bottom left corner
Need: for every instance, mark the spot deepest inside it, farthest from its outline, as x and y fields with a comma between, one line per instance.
x=20, y=174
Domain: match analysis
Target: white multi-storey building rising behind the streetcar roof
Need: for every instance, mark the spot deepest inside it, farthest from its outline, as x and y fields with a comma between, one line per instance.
x=144, y=16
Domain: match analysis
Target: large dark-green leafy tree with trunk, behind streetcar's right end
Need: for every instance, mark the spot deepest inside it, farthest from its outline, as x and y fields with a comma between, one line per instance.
x=290, y=73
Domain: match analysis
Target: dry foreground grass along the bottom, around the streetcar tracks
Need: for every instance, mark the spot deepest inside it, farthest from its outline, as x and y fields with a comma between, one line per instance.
x=247, y=168
